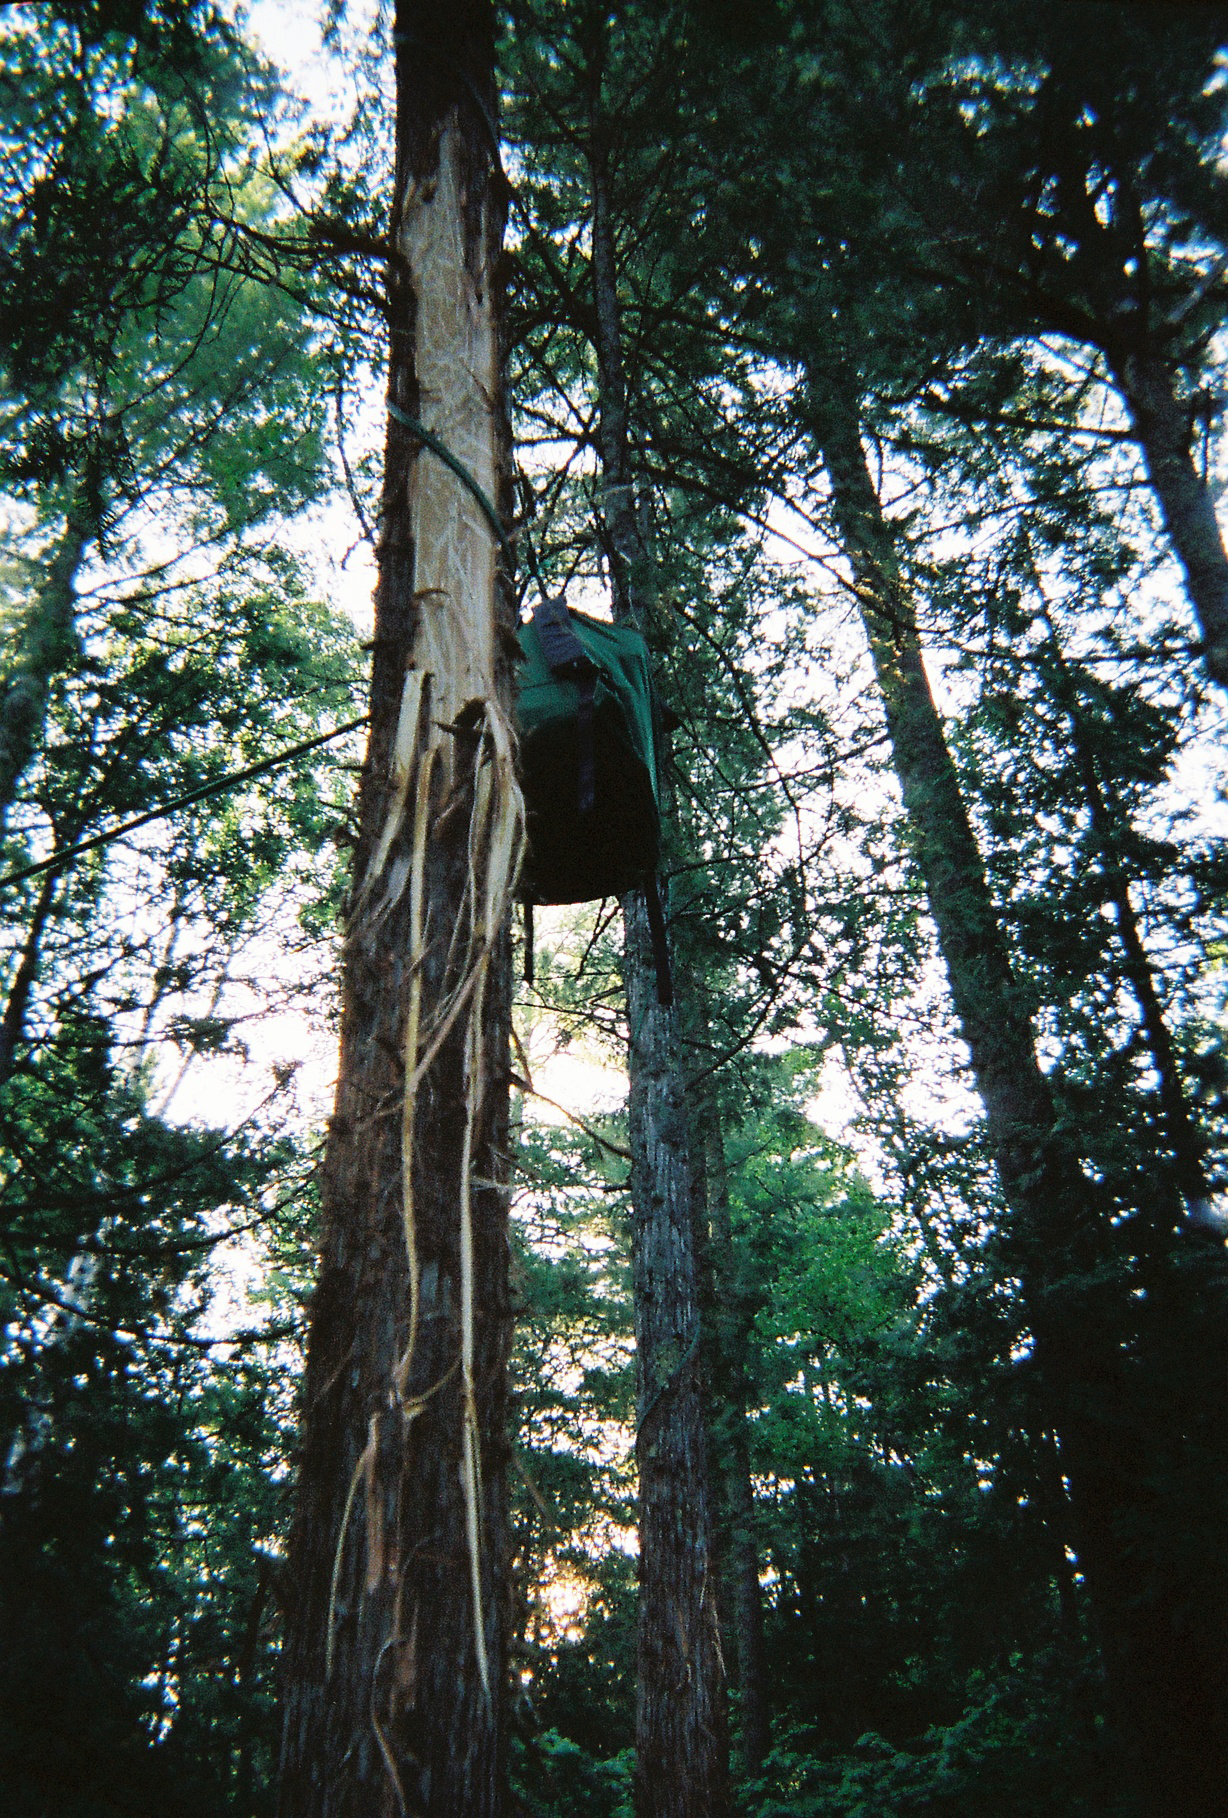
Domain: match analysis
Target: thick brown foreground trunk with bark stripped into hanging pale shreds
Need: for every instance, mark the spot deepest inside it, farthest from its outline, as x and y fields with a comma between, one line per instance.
x=394, y=1679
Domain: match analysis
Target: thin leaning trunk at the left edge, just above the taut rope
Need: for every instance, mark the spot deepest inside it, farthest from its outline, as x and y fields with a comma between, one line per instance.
x=45, y=650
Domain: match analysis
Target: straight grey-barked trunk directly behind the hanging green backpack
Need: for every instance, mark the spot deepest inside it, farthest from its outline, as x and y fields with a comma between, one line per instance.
x=681, y=1706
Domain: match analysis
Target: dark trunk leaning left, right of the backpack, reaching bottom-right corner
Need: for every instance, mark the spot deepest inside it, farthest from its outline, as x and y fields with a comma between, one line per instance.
x=1132, y=1463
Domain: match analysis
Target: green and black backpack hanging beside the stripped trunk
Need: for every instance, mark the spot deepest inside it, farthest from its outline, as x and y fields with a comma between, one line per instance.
x=592, y=746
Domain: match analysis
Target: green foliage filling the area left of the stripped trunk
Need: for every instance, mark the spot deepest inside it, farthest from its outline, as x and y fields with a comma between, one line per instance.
x=161, y=425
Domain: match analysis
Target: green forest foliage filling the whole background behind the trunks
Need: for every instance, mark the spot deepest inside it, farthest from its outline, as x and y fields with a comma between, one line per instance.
x=974, y=225
